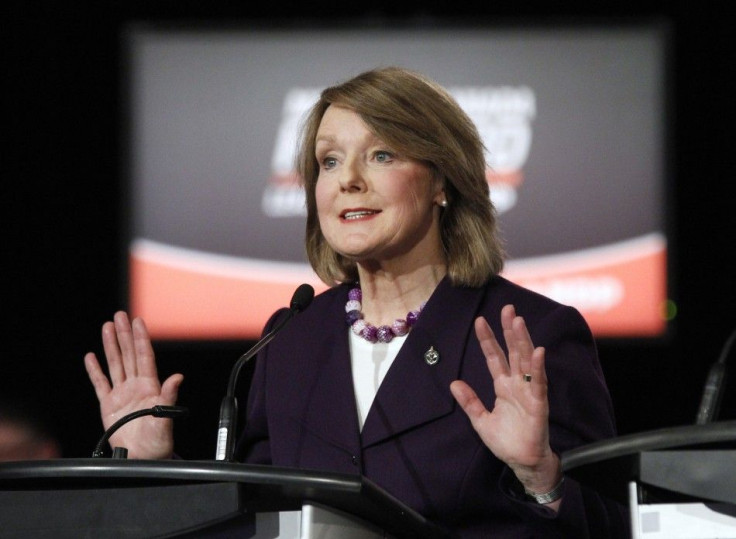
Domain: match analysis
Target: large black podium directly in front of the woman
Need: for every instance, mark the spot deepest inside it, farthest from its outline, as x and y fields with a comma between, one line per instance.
x=118, y=498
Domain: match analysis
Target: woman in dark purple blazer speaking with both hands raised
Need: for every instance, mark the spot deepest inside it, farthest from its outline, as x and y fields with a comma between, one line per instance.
x=421, y=368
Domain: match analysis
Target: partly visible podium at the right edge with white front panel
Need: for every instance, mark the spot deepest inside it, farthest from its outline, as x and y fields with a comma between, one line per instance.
x=678, y=482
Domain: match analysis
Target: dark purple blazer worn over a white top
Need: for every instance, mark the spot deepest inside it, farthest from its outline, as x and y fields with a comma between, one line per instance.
x=417, y=443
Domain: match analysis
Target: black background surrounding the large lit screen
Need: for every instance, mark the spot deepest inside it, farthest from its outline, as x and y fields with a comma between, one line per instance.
x=64, y=217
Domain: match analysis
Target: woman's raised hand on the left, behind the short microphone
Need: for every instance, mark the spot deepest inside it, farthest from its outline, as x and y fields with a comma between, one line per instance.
x=133, y=385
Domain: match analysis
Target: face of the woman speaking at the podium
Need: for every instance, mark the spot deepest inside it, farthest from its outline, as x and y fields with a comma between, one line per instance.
x=374, y=205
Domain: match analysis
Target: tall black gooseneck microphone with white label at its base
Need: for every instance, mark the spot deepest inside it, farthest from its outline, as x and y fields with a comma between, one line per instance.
x=229, y=407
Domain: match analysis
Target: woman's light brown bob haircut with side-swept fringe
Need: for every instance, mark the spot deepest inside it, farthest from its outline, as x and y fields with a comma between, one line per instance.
x=419, y=119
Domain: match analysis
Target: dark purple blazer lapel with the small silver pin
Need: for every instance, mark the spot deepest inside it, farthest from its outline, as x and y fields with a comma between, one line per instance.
x=414, y=391
